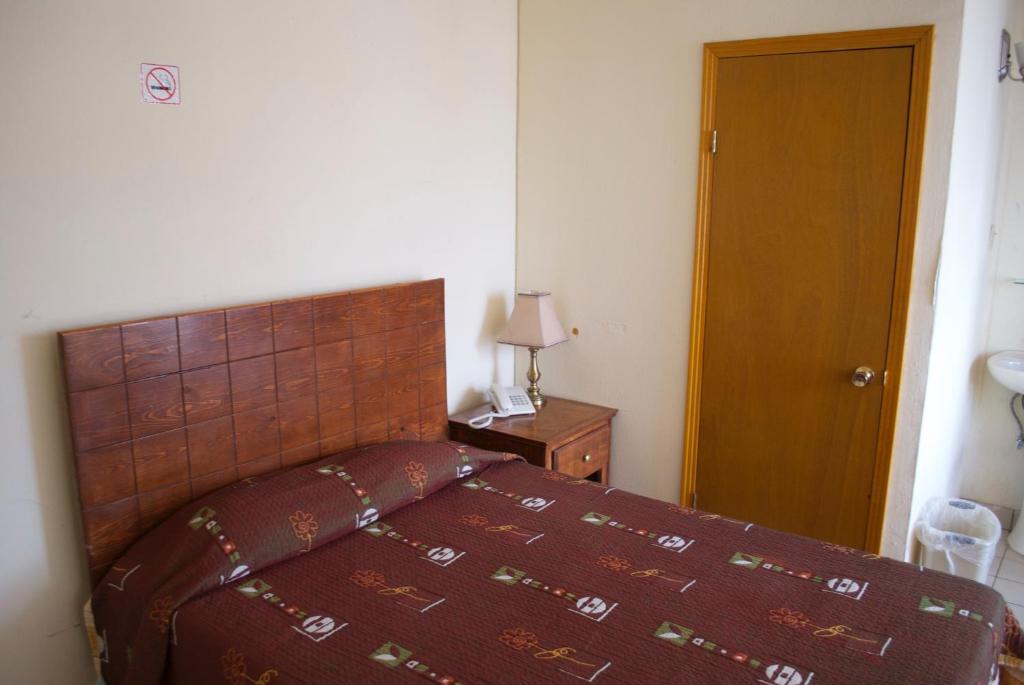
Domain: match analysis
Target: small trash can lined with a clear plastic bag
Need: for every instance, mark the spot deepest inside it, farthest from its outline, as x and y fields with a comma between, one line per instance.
x=959, y=538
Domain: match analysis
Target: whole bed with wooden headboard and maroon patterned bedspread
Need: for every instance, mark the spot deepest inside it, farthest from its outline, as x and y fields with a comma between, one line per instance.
x=269, y=497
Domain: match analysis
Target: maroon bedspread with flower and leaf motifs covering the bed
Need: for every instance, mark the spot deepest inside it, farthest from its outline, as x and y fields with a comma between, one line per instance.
x=516, y=575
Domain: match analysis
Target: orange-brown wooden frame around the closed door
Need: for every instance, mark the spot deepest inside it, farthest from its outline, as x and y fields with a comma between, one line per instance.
x=920, y=39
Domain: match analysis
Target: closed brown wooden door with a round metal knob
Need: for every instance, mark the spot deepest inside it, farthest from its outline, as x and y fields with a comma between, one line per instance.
x=803, y=241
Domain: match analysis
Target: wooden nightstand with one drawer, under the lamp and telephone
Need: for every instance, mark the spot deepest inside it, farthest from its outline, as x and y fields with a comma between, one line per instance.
x=565, y=436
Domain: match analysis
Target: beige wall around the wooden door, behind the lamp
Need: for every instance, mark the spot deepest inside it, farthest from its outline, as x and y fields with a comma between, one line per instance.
x=609, y=125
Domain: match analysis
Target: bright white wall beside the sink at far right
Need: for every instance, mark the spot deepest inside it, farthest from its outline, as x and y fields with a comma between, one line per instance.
x=957, y=367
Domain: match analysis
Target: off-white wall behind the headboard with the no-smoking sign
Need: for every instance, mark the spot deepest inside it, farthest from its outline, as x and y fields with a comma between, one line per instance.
x=320, y=146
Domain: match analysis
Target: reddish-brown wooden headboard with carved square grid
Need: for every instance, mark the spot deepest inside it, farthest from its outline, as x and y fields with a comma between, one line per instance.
x=165, y=410
